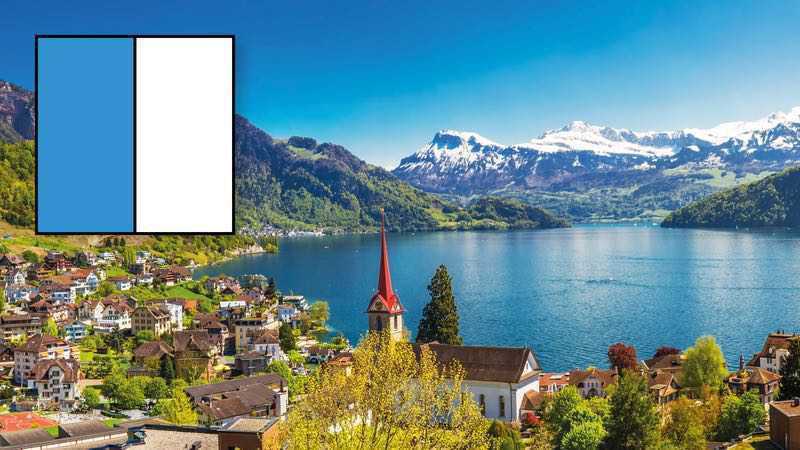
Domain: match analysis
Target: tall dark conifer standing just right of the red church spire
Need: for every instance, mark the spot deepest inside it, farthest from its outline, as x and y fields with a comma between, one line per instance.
x=440, y=317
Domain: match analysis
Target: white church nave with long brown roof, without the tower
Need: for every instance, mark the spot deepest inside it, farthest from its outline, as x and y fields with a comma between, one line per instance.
x=497, y=377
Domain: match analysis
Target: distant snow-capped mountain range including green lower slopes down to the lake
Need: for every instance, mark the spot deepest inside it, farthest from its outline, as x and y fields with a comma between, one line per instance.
x=632, y=174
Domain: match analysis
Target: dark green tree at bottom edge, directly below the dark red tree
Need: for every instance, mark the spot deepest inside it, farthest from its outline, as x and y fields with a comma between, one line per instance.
x=633, y=422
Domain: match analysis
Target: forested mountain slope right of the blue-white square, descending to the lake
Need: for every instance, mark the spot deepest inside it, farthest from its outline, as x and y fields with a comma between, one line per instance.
x=299, y=183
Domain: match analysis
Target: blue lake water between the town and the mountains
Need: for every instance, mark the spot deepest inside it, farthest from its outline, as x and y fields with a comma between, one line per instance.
x=568, y=293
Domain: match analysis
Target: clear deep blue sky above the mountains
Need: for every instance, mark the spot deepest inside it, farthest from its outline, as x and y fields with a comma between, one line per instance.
x=382, y=77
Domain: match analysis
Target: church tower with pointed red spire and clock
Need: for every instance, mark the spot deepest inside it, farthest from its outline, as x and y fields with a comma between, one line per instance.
x=385, y=310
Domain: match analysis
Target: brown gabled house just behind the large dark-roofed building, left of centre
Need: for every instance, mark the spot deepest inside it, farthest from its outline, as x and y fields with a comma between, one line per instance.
x=194, y=355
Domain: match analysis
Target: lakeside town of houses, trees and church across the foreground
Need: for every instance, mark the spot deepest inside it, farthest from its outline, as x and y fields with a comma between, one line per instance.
x=105, y=350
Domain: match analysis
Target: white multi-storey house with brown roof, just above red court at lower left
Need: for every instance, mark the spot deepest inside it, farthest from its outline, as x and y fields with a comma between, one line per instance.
x=56, y=382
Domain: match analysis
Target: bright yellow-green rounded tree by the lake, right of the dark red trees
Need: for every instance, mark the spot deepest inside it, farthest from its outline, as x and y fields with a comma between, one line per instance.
x=704, y=365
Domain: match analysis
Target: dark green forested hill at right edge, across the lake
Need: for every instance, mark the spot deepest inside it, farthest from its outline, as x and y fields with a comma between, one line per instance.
x=771, y=202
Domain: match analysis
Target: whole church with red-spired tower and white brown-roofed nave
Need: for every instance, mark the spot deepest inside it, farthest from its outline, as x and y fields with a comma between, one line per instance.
x=498, y=378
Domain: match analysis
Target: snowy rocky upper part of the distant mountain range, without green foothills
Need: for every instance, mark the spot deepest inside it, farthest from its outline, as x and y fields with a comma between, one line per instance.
x=465, y=163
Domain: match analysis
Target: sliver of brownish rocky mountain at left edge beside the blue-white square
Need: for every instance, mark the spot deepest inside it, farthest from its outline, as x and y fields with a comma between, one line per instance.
x=17, y=118
